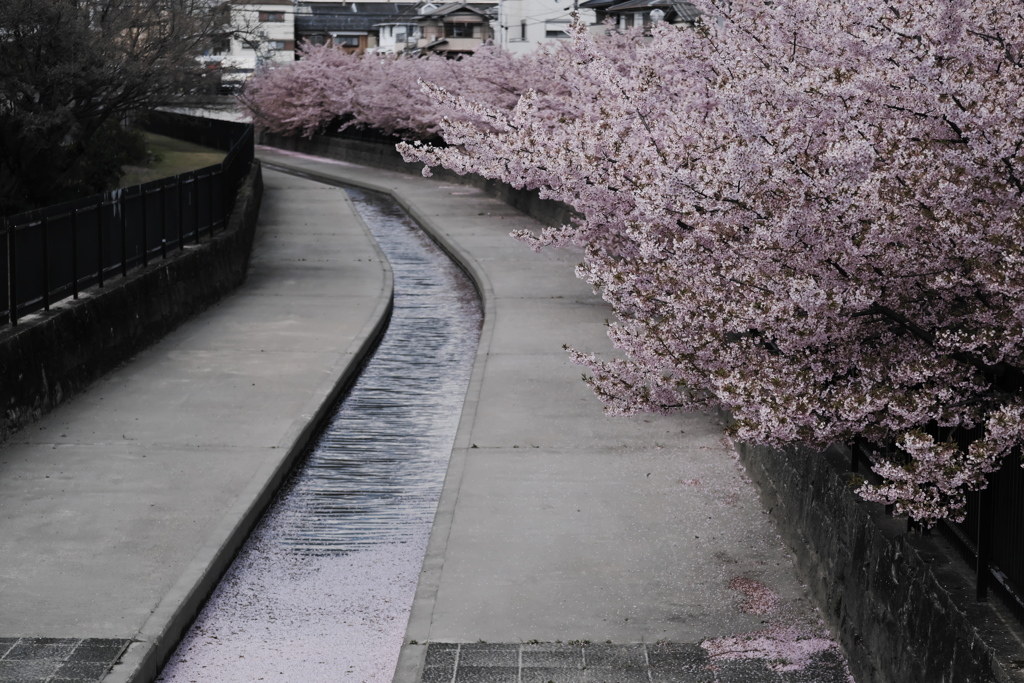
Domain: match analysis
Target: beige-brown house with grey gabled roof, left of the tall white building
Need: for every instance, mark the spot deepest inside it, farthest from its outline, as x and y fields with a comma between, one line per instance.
x=454, y=29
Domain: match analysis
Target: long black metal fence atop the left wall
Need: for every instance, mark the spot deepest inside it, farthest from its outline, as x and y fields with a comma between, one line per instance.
x=56, y=252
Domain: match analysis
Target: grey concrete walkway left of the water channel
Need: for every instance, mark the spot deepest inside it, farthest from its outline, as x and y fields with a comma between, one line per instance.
x=120, y=509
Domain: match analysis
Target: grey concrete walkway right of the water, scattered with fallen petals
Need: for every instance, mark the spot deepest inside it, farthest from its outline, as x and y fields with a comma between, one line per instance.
x=570, y=546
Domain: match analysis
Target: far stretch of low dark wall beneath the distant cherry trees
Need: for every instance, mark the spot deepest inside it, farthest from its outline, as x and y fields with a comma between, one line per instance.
x=385, y=156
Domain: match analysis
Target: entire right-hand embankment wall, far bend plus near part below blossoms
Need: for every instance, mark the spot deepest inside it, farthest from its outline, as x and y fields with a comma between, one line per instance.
x=902, y=605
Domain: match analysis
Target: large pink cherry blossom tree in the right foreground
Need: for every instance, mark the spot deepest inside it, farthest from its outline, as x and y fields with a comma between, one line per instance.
x=806, y=211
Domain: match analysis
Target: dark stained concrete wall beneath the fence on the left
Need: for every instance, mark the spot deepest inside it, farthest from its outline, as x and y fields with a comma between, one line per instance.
x=53, y=356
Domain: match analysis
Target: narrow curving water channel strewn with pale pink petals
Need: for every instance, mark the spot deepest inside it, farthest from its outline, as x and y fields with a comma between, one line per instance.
x=323, y=589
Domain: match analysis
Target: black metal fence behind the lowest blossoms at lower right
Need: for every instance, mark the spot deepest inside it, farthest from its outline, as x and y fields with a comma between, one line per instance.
x=992, y=537
